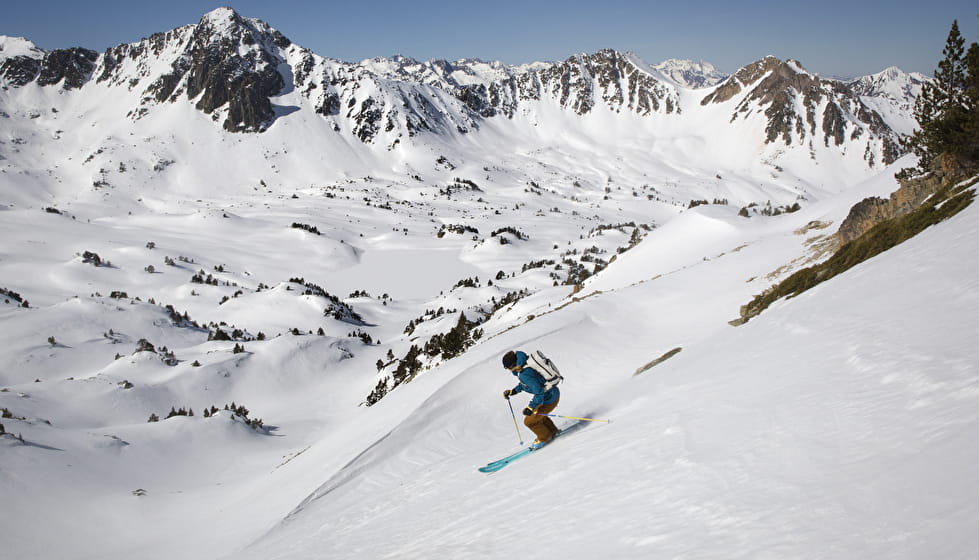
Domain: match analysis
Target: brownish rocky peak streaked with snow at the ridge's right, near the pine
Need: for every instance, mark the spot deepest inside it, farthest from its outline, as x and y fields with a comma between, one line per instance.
x=833, y=112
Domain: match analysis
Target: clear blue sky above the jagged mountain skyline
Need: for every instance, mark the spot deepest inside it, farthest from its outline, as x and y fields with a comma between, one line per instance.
x=829, y=37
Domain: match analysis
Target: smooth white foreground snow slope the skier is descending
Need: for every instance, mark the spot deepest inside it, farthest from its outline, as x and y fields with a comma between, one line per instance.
x=840, y=424
